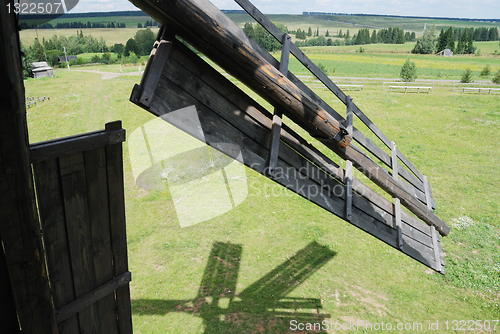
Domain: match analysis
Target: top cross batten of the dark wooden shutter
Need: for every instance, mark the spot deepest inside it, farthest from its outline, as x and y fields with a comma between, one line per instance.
x=79, y=143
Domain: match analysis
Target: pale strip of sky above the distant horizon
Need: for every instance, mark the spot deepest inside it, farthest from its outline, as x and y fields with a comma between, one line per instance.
x=483, y=9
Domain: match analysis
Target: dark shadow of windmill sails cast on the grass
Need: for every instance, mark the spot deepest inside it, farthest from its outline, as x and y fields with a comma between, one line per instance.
x=262, y=307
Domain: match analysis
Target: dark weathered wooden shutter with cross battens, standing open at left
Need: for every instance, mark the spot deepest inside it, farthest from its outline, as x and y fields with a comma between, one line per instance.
x=78, y=181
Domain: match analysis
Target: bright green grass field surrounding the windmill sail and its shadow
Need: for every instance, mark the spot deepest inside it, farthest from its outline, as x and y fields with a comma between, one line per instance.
x=451, y=137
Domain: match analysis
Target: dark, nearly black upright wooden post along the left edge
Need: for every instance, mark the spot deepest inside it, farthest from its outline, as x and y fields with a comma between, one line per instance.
x=22, y=249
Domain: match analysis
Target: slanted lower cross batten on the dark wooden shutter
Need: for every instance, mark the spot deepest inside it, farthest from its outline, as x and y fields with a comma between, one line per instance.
x=93, y=296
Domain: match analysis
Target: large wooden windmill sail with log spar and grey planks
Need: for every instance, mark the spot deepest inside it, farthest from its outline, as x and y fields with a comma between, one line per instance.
x=177, y=78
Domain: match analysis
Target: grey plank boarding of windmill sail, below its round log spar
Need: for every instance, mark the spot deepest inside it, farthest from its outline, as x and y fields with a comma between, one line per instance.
x=228, y=115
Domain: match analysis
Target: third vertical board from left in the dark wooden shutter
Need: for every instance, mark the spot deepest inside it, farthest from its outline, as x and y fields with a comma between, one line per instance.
x=96, y=176
